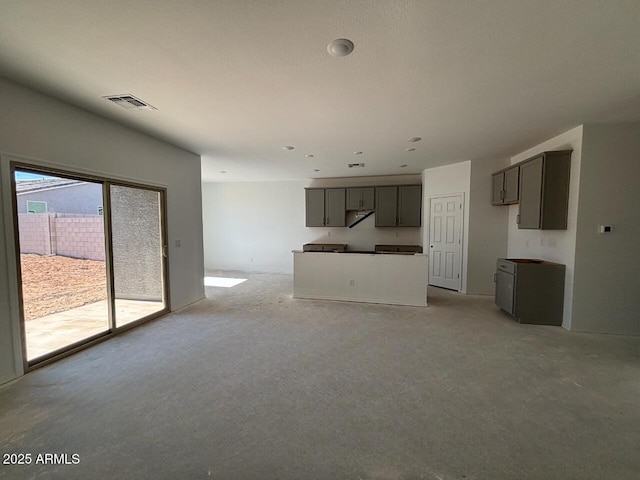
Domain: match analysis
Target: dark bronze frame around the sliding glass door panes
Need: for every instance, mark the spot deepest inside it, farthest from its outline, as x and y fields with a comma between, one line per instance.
x=13, y=243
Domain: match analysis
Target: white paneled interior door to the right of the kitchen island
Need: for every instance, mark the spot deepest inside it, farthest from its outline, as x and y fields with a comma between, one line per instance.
x=445, y=241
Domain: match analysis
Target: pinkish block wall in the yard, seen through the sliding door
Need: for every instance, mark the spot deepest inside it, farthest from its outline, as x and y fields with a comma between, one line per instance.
x=76, y=236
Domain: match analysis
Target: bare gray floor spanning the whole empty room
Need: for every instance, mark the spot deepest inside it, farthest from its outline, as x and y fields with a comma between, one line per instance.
x=253, y=384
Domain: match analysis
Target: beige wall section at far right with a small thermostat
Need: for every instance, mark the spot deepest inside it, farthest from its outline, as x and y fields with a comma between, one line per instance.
x=606, y=295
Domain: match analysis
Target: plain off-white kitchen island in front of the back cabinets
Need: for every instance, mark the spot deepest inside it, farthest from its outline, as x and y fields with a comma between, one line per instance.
x=373, y=277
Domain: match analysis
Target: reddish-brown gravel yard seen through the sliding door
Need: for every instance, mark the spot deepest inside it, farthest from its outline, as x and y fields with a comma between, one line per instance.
x=52, y=284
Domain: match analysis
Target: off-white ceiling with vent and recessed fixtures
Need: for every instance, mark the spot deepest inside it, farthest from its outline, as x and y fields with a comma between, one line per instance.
x=236, y=80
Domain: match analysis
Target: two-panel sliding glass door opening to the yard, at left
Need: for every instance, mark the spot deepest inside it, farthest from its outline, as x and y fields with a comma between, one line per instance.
x=90, y=258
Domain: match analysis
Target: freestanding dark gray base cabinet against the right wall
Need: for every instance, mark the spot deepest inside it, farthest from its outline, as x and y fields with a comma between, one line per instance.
x=532, y=291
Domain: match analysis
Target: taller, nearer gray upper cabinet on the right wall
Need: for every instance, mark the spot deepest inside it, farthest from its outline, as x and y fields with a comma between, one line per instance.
x=544, y=191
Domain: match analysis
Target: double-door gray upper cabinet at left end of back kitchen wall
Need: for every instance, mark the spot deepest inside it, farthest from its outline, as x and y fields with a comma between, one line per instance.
x=325, y=207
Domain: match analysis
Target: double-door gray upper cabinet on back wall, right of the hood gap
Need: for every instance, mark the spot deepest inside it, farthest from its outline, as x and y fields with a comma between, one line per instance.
x=399, y=206
